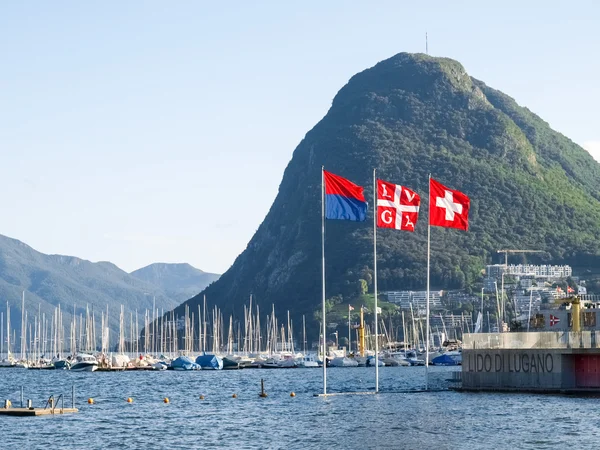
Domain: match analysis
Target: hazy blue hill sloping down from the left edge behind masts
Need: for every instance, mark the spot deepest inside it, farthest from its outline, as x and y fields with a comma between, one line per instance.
x=50, y=280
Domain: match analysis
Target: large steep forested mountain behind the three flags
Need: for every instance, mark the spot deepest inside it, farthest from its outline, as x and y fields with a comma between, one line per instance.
x=408, y=116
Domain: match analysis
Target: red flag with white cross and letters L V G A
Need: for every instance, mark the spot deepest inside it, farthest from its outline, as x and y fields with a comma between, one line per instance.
x=397, y=206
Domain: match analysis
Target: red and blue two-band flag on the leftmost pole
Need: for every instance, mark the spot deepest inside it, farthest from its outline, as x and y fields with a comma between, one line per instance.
x=344, y=200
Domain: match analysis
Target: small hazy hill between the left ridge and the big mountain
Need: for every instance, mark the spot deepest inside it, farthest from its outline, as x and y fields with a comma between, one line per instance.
x=178, y=281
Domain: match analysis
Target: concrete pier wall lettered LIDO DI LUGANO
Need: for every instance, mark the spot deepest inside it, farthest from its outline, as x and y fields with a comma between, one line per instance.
x=537, y=361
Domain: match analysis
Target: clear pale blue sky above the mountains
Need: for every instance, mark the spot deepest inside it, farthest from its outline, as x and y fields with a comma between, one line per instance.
x=138, y=132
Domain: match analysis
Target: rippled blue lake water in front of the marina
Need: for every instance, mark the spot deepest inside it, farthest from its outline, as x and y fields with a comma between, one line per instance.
x=441, y=420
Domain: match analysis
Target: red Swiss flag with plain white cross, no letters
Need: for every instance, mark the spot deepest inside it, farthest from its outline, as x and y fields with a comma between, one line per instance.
x=447, y=207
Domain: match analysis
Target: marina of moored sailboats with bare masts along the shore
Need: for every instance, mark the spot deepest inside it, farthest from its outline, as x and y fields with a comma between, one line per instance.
x=194, y=343
